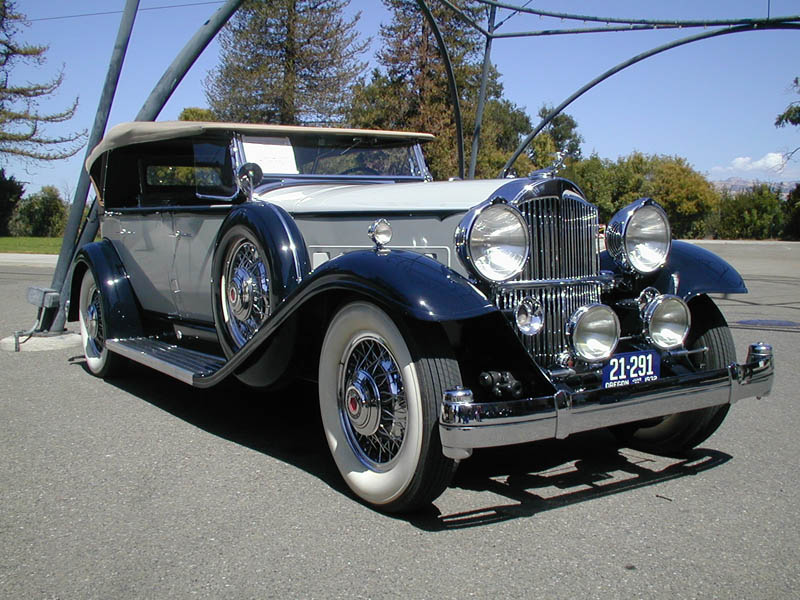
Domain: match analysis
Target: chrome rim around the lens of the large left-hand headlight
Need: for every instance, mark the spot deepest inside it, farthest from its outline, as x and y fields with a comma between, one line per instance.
x=465, y=249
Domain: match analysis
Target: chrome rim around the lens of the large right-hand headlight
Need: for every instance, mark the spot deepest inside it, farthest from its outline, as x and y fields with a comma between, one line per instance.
x=621, y=248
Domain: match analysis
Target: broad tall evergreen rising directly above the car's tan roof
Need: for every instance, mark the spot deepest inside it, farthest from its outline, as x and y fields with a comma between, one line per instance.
x=285, y=61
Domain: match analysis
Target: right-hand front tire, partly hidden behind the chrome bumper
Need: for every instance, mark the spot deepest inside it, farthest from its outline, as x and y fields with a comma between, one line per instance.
x=678, y=433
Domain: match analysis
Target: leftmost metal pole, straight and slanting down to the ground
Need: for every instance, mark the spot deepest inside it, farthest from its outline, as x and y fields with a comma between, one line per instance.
x=82, y=190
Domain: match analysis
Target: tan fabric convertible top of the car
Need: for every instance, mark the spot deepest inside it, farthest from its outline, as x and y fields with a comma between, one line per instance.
x=139, y=132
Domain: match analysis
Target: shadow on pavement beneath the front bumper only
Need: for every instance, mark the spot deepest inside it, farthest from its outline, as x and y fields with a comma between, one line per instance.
x=523, y=481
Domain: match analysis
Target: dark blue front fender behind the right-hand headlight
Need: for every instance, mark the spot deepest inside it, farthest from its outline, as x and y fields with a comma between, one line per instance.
x=690, y=271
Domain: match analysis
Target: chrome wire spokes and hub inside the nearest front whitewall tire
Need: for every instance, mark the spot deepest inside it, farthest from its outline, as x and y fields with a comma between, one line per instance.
x=372, y=403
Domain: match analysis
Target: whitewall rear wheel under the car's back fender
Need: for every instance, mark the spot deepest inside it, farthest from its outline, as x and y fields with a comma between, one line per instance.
x=94, y=327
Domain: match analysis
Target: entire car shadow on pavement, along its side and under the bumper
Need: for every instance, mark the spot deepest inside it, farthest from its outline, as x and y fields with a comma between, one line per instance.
x=513, y=481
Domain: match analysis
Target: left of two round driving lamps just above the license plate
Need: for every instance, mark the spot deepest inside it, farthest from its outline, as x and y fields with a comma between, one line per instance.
x=593, y=332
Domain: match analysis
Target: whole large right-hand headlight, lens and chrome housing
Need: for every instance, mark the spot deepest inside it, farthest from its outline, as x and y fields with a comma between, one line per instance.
x=638, y=237
